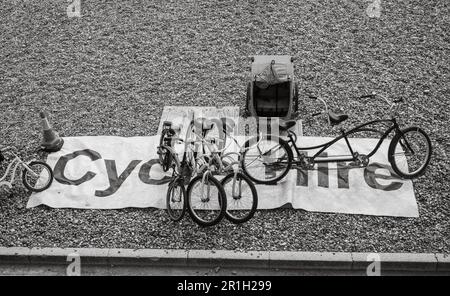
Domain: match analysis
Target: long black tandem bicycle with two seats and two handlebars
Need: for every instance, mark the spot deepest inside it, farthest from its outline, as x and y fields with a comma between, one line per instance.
x=271, y=159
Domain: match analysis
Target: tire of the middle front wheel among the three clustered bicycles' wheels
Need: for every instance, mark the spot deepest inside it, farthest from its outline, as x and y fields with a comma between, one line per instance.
x=221, y=200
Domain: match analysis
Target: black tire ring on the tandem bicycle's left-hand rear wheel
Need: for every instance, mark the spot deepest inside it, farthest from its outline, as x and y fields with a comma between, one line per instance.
x=286, y=148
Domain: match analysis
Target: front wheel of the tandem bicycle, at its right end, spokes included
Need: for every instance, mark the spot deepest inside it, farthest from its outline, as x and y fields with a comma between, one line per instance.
x=410, y=152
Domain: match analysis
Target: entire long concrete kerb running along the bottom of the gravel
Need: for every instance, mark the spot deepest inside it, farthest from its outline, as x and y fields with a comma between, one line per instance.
x=227, y=258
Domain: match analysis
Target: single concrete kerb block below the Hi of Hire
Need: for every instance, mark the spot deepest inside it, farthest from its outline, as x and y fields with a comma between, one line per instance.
x=310, y=260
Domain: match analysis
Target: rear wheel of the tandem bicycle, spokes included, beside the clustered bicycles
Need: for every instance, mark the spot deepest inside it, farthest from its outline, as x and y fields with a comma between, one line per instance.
x=268, y=161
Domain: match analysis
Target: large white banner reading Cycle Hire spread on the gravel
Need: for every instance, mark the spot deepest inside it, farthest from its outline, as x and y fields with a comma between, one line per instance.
x=114, y=172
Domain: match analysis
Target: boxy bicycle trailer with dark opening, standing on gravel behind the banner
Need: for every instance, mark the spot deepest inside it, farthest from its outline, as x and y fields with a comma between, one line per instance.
x=272, y=90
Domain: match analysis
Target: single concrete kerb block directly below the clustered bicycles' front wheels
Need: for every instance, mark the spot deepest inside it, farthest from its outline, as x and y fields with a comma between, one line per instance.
x=227, y=258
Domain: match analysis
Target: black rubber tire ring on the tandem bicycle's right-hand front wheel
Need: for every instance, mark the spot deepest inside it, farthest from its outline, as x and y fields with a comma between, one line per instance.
x=392, y=148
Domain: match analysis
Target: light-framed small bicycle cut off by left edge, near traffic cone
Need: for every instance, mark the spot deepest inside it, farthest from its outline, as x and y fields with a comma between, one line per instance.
x=37, y=176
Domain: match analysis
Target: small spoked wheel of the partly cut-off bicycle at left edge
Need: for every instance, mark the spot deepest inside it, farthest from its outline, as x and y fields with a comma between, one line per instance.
x=39, y=178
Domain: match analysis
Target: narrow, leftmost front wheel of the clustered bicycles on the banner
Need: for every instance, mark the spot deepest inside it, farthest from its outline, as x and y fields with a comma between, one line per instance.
x=176, y=200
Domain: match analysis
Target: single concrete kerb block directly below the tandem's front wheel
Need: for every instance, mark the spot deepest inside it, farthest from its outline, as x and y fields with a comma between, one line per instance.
x=396, y=261
